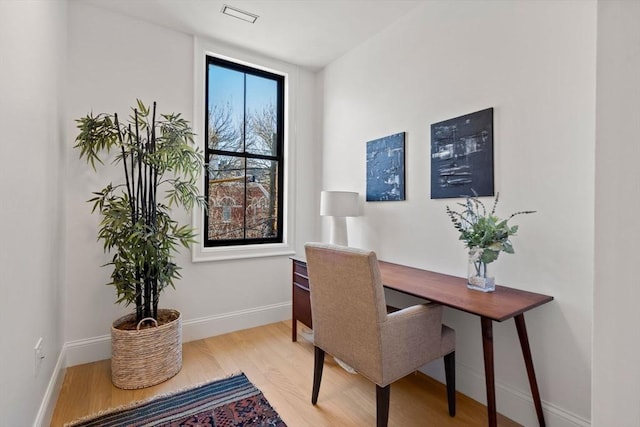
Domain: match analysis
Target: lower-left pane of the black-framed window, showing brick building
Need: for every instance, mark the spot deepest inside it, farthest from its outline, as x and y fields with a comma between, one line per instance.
x=227, y=184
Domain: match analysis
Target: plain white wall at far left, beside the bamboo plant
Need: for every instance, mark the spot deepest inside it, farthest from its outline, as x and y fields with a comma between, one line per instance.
x=32, y=48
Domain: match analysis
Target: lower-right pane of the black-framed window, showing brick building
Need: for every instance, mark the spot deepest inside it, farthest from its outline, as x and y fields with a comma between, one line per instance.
x=262, y=199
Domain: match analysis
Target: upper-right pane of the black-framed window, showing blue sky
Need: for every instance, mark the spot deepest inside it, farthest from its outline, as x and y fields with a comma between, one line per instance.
x=261, y=104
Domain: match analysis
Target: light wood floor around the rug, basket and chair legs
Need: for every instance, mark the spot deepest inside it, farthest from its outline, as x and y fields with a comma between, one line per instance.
x=283, y=370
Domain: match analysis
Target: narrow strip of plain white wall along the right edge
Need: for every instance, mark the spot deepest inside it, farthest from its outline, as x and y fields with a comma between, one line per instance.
x=616, y=371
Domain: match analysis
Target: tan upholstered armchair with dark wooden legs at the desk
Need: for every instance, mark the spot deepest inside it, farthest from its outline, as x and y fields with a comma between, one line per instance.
x=350, y=322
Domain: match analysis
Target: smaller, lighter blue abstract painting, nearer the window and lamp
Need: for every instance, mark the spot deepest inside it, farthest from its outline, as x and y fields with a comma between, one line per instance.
x=385, y=168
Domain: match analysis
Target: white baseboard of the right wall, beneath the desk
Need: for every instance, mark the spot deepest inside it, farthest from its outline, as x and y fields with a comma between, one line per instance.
x=511, y=403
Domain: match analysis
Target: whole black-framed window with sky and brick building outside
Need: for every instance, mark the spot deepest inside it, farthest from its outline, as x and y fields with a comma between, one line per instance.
x=244, y=148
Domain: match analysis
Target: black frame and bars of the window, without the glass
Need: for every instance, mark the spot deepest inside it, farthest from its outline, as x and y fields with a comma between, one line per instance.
x=278, y=157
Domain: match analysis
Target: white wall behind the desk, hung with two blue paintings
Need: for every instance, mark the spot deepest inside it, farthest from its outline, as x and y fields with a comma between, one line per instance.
x=534, y=62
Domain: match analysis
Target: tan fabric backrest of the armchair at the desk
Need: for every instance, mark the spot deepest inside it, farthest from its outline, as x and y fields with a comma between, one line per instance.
x=347, y=304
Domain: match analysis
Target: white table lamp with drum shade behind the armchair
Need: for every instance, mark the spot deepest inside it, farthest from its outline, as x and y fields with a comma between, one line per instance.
x=339, y=205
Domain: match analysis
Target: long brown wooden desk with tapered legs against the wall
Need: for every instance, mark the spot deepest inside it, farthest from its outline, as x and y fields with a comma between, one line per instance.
x=503, y=304
